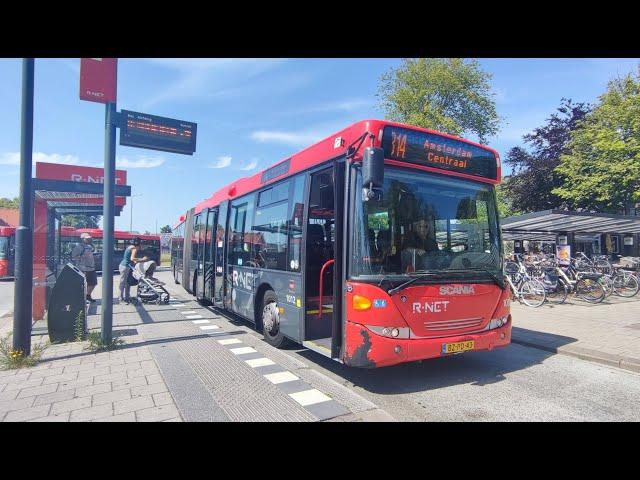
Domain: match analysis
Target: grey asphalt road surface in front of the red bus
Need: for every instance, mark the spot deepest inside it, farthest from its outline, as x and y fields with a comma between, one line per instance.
x=516, y=383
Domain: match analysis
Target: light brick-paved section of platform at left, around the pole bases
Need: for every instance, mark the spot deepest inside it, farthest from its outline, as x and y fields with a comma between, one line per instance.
x=74, y=384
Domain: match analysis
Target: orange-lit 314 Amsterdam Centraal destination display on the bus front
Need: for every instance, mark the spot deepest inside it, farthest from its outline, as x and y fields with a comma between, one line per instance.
x=437, y=151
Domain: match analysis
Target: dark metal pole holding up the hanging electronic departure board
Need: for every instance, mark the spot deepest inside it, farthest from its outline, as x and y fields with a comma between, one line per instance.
x=107, y=223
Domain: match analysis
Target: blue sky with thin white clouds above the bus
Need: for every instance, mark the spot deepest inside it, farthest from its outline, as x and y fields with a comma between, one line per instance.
x=250, y=114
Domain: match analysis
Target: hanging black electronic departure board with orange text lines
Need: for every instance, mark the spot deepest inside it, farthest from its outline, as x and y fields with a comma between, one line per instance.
x=157, y=133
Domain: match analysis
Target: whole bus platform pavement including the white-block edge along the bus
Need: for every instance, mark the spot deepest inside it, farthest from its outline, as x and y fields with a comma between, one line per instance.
x=181, y=362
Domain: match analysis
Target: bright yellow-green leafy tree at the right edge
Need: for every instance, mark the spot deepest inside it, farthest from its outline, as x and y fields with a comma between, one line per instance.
x=601, y=170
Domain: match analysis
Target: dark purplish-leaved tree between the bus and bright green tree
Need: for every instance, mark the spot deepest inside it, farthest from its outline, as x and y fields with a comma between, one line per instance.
x=530, y=187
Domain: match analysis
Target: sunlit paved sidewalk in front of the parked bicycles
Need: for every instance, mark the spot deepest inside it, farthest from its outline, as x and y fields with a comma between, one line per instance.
x=607, y=333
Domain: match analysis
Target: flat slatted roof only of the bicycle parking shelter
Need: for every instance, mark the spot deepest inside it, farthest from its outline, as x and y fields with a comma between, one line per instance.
x=546, y=224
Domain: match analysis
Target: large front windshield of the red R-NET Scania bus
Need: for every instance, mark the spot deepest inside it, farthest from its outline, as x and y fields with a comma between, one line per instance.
x=425, y=222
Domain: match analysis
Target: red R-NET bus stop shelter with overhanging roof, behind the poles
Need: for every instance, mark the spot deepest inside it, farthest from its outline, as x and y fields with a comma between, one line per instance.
x=63, y=190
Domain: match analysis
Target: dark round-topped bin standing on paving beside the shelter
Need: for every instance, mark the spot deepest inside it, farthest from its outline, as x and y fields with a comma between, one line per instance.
x=67, y=314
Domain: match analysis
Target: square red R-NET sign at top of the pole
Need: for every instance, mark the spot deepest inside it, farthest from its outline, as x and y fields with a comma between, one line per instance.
x=99, y=79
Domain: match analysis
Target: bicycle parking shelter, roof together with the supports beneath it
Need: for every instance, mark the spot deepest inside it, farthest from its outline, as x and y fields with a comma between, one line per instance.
x=618, y=234
